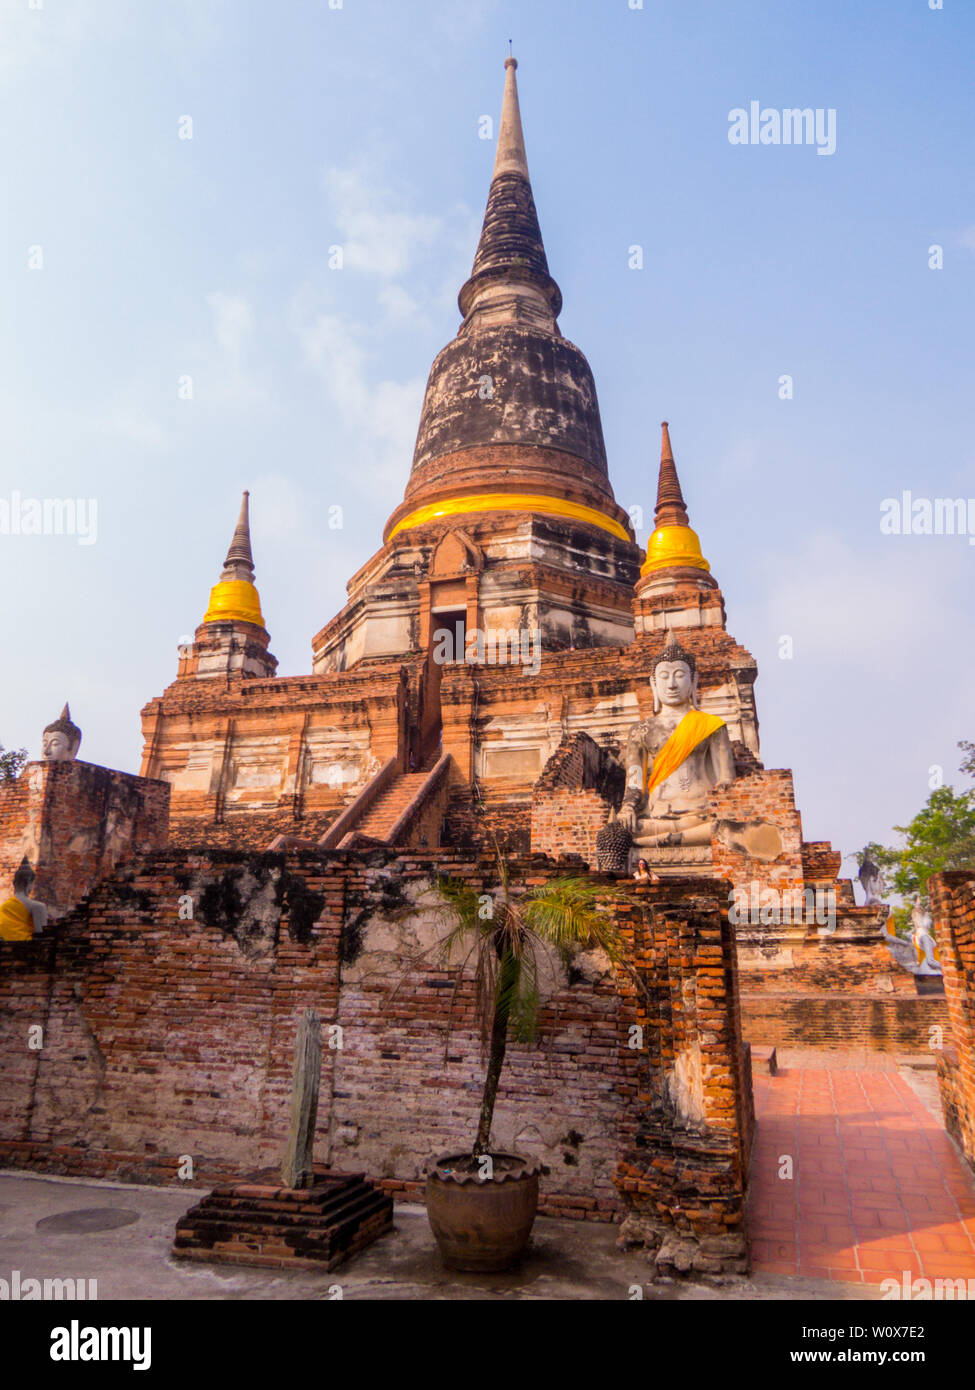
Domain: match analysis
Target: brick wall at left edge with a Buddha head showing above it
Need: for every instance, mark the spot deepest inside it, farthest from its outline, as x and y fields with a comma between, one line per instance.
x=76, y=822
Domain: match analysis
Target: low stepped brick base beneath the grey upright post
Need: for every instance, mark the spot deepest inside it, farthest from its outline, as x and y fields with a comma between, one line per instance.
x=309, y=1228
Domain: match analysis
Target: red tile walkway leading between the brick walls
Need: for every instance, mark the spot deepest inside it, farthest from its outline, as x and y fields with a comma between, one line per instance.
x=878, y=1186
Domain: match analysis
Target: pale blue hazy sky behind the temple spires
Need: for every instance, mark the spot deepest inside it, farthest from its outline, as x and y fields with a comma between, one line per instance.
x=175, y=329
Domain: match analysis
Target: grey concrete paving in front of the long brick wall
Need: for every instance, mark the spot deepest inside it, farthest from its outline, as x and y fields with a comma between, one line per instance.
x=568, y=1260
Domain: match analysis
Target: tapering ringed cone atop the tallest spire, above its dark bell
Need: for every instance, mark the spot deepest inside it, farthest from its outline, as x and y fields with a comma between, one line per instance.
x=510, y=283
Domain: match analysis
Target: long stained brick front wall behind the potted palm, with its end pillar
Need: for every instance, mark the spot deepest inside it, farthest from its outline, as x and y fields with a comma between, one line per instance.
x=170, y=1036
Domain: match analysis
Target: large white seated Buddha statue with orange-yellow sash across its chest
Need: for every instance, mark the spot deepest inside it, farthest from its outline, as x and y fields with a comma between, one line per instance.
x=675, y=760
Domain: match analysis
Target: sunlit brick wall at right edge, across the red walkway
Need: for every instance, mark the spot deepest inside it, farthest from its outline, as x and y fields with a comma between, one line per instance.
x=953, y=910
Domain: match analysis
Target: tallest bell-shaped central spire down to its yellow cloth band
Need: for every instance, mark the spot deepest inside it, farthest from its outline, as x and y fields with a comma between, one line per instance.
x=511, y=419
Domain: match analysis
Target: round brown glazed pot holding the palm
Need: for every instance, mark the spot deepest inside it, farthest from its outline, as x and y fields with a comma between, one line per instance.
x=482, y=1223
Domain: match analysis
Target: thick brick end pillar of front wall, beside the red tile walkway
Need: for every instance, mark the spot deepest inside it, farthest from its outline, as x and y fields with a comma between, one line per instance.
x=689, y=1139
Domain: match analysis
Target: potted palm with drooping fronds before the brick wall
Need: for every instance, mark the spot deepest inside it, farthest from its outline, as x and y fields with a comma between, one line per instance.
x=482, y=1203
